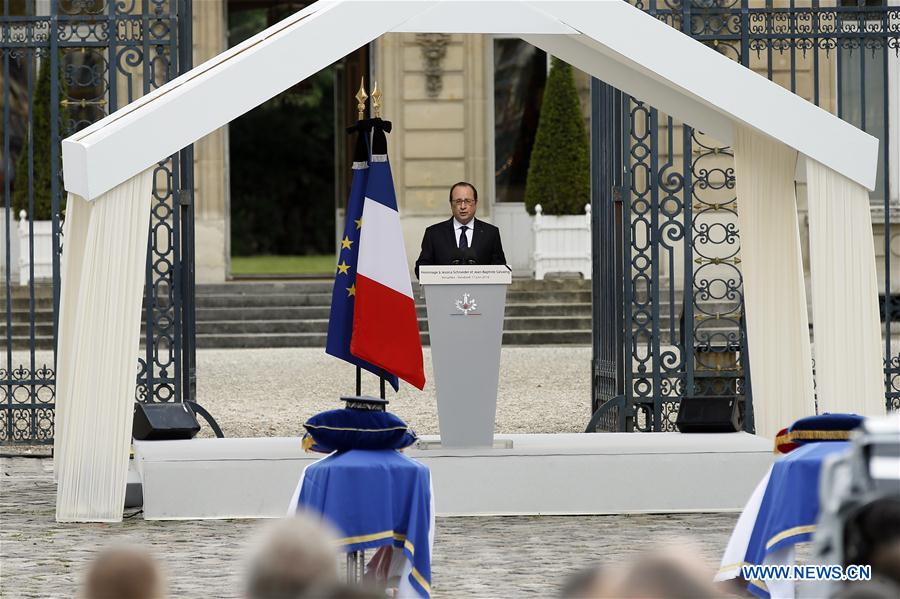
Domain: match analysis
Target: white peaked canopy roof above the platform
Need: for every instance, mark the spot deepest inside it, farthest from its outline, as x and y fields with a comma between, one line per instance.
x=610, y=39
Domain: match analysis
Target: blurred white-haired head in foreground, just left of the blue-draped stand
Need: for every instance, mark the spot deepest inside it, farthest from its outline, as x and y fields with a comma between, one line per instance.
x=292, y=556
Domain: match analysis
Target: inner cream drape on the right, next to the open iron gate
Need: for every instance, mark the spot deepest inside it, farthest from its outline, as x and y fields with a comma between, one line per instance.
x=774, y=289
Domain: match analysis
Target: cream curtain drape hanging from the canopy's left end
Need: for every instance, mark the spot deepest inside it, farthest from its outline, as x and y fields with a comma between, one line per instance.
x=103, y=266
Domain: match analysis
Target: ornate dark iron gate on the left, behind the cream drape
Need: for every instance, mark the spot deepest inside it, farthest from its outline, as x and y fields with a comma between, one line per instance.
x=91, y=57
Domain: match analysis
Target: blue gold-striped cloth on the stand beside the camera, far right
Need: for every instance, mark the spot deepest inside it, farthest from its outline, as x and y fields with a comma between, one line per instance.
x=790, y=505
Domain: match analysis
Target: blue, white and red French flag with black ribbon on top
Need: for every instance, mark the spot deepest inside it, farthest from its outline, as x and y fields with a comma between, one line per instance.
x=385, y=326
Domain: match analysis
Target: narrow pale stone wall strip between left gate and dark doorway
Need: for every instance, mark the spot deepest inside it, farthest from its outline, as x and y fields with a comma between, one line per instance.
x=211, y=205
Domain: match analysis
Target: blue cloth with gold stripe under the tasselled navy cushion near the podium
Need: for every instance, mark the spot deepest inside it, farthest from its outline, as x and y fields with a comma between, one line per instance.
x=375, y=498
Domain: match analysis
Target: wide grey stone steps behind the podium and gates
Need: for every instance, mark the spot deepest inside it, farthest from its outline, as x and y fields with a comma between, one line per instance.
x=295, y=314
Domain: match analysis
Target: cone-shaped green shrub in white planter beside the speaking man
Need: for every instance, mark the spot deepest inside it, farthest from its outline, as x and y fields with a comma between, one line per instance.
x=558, y=187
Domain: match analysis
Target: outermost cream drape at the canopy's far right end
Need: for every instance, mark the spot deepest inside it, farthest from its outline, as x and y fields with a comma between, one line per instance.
x=849, y=376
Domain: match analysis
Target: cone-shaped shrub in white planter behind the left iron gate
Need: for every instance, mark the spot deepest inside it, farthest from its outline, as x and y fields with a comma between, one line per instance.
x=36, y=218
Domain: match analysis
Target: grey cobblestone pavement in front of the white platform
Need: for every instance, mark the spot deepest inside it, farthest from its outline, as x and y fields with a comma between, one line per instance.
x=473, y=557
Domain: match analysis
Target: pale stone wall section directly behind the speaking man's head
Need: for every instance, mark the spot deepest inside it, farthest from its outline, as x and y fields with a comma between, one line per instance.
x=437, y=141
